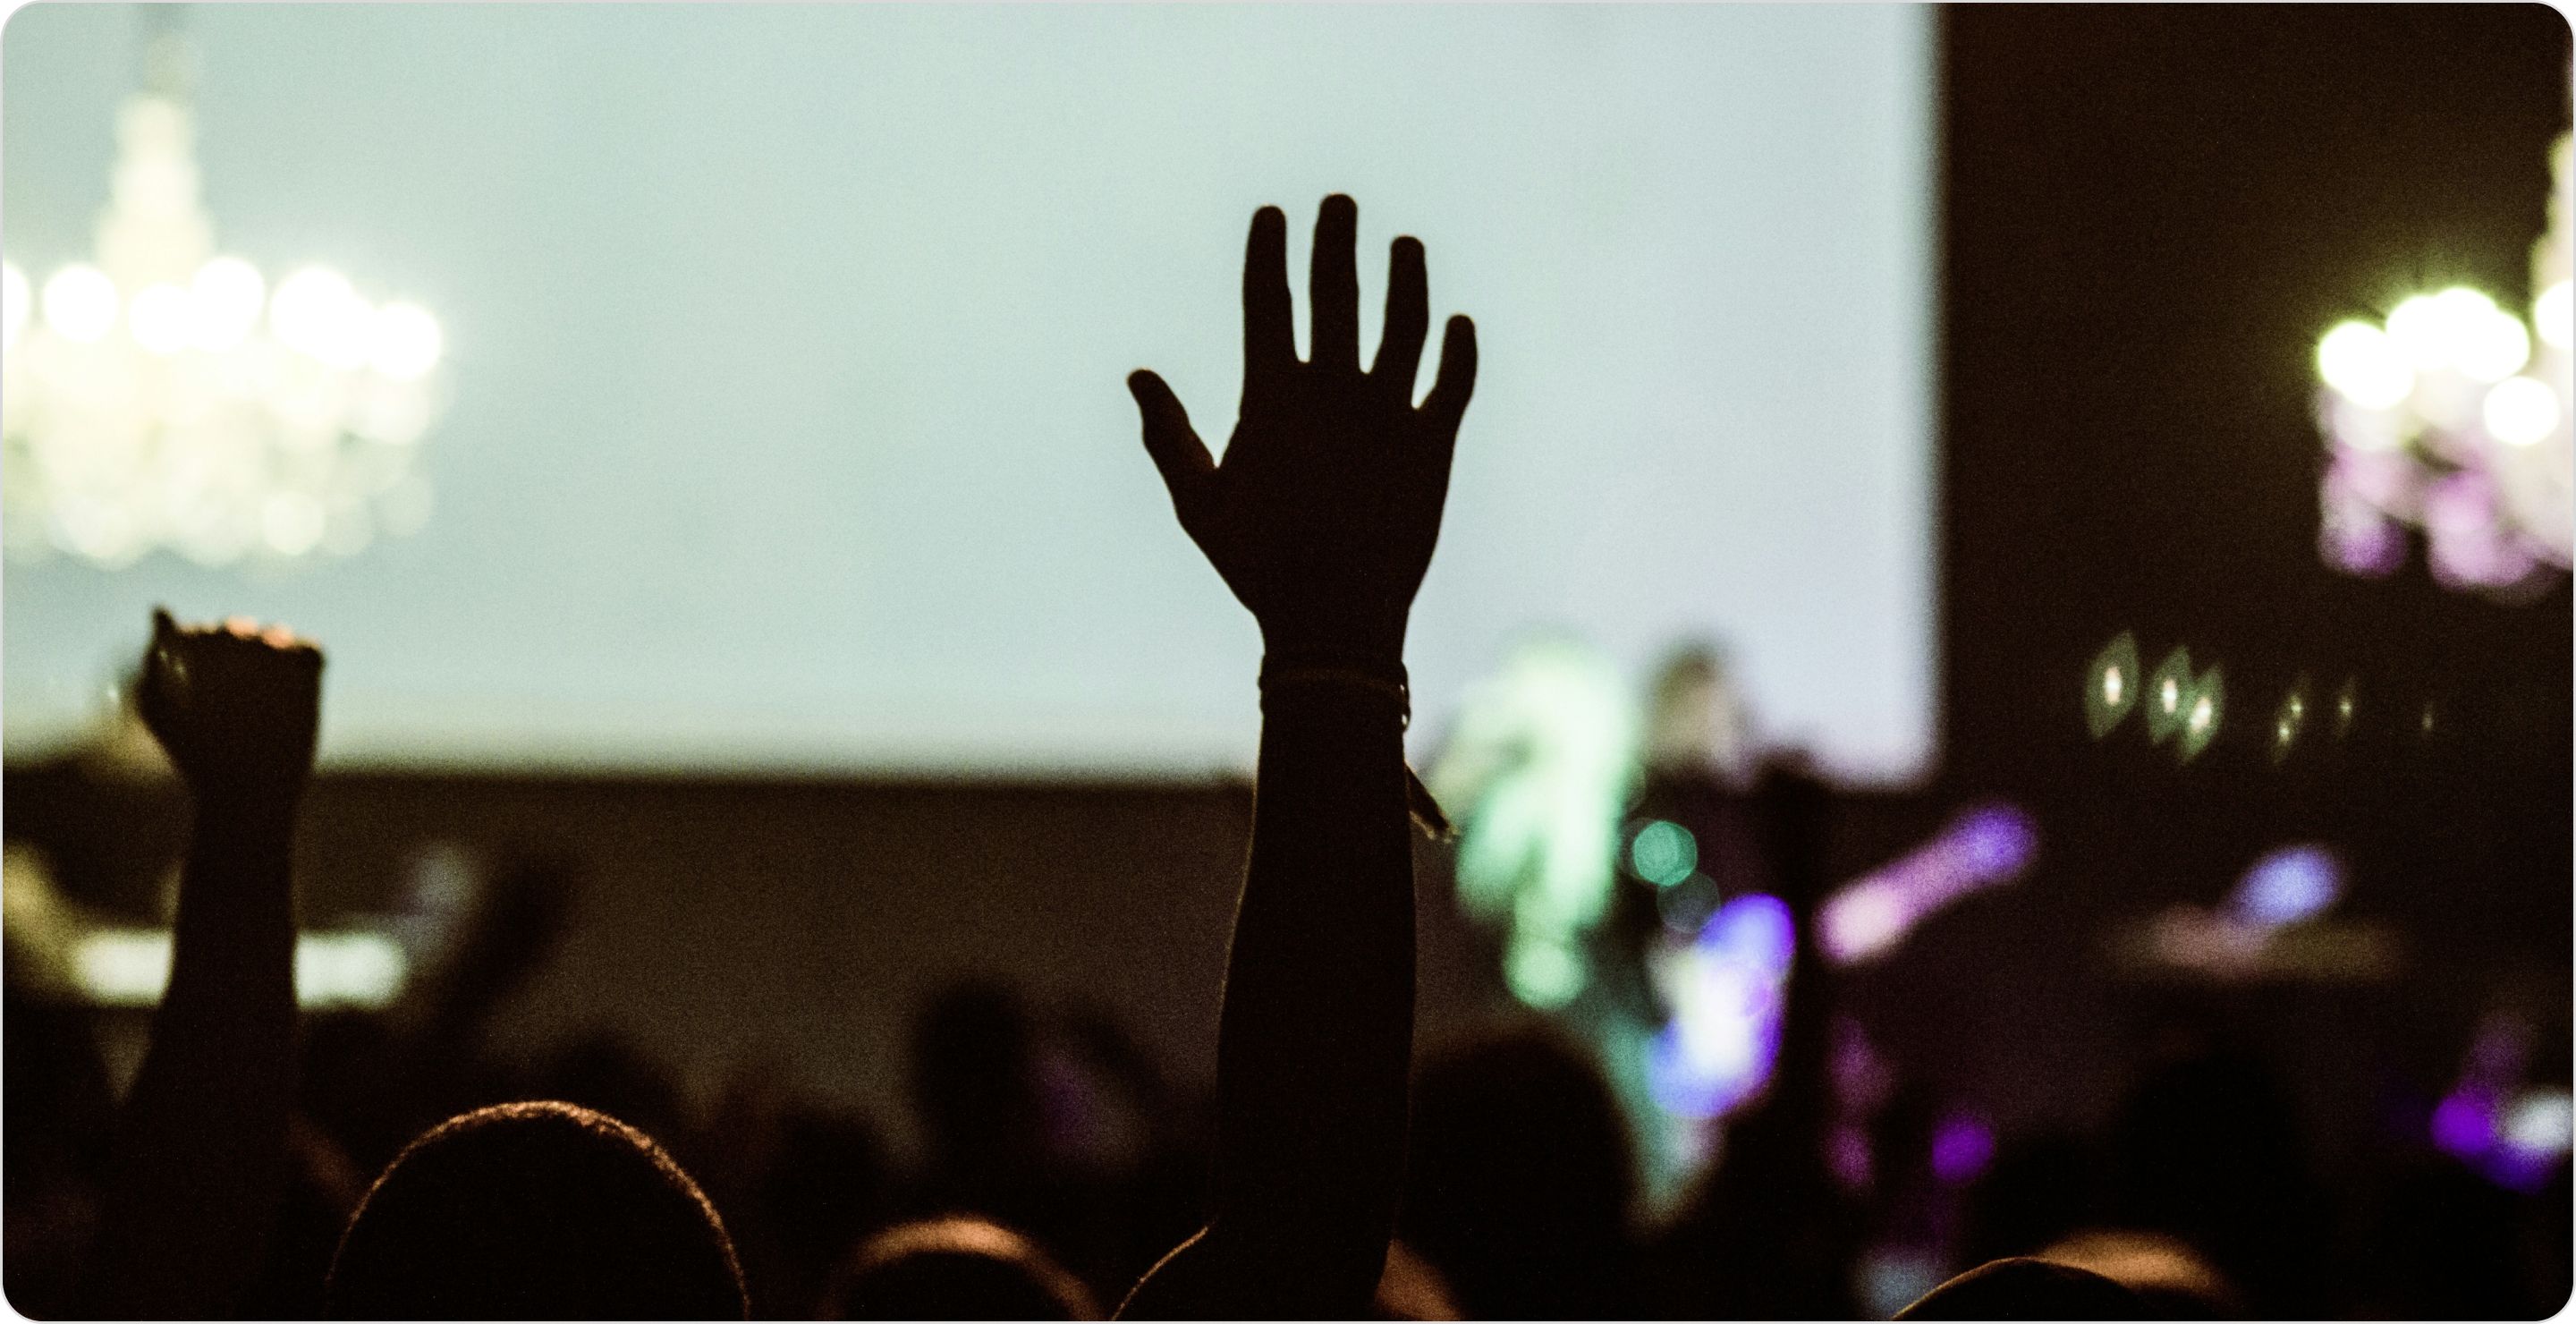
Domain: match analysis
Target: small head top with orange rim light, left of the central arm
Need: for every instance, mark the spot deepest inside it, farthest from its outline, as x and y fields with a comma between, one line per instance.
x=954, y=1269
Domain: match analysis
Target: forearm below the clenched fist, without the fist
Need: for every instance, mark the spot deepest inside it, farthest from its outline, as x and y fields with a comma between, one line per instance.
x=200, y=1145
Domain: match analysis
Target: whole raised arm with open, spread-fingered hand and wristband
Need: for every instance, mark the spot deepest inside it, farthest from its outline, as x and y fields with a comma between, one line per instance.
x=1323, y=522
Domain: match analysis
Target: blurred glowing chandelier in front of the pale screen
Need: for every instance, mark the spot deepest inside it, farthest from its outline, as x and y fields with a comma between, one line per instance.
x=169, y=398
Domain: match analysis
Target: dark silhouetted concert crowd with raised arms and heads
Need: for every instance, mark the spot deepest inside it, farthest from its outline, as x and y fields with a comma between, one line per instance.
x=390, y=1166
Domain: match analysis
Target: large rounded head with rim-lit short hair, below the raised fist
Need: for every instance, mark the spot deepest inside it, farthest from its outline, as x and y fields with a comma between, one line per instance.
x=535, y=1212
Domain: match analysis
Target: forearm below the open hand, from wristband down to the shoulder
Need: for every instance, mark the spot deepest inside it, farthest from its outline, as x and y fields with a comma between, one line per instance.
x=1318, y=1026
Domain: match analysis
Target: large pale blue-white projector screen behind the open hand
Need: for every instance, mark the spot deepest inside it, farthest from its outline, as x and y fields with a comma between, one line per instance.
x=787, y=357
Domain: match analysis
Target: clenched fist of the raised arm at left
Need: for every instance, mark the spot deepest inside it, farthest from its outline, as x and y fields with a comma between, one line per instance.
x=236, y=707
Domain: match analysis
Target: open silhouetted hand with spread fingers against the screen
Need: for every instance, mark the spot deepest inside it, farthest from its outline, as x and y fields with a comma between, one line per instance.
x=1328, y=506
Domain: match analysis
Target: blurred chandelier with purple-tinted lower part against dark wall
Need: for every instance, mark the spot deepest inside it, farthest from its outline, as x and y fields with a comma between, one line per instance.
x=2454, y=421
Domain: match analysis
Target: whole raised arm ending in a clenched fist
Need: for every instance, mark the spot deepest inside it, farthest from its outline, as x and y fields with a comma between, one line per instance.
x=200, y=1145
